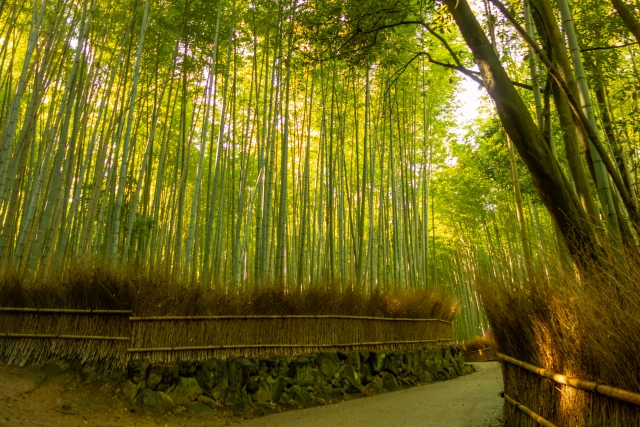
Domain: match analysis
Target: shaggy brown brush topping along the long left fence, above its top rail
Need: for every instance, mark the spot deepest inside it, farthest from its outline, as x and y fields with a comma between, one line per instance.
x=102, y=286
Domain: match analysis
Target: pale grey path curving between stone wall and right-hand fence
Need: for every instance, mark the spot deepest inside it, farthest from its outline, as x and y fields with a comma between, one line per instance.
x=469, y=401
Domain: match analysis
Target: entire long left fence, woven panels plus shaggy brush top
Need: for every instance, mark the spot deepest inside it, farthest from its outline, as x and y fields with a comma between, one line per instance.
x=149, y=316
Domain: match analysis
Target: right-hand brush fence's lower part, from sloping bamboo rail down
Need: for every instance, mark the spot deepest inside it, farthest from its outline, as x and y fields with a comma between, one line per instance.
x=572, y=397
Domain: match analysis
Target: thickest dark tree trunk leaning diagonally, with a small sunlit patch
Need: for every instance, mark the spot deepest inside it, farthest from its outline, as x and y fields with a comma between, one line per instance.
x=550, y=182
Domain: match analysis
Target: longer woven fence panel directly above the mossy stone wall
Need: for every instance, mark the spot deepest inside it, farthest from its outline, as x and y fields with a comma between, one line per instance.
x=166, y=339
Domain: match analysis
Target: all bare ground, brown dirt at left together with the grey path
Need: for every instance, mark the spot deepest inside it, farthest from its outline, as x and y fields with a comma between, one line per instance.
x=51, y=397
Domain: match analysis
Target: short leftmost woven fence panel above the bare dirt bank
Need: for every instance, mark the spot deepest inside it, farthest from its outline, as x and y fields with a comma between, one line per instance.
x=95, y=337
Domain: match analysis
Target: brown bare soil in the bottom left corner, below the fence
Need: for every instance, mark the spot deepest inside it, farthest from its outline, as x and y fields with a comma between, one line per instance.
x=52, y=395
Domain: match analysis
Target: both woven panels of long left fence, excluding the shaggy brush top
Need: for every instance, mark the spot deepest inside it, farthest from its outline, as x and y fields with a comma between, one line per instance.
x=106, y=339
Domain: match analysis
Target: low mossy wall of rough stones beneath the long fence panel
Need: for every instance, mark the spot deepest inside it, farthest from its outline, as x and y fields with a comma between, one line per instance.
x=277, y=383
